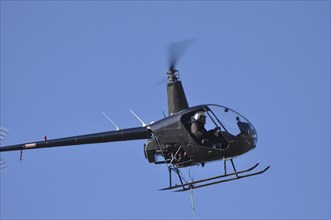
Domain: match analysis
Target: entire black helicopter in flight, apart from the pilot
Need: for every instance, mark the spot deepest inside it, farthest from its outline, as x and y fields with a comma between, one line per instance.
x=170, y=140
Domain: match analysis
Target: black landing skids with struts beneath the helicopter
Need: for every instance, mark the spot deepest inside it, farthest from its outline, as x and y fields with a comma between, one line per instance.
x=213, y=180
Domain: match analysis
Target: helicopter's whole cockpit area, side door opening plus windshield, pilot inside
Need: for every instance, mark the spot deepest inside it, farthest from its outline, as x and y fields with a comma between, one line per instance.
x=218, y=126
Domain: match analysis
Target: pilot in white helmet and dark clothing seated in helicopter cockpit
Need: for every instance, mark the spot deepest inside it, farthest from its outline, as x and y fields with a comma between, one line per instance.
x=198, y=129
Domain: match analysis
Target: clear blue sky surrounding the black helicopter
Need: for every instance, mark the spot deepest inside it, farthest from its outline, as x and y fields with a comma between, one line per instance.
x=62, y=63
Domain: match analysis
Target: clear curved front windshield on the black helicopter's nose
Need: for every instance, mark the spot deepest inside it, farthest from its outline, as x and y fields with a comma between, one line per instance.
x=229, y=122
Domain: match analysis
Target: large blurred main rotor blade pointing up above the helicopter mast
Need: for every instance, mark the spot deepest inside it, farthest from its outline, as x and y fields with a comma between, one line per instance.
x=176, y=50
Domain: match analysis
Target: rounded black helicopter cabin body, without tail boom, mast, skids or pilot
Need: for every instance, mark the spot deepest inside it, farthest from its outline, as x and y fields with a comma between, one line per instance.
x=174, y=141
